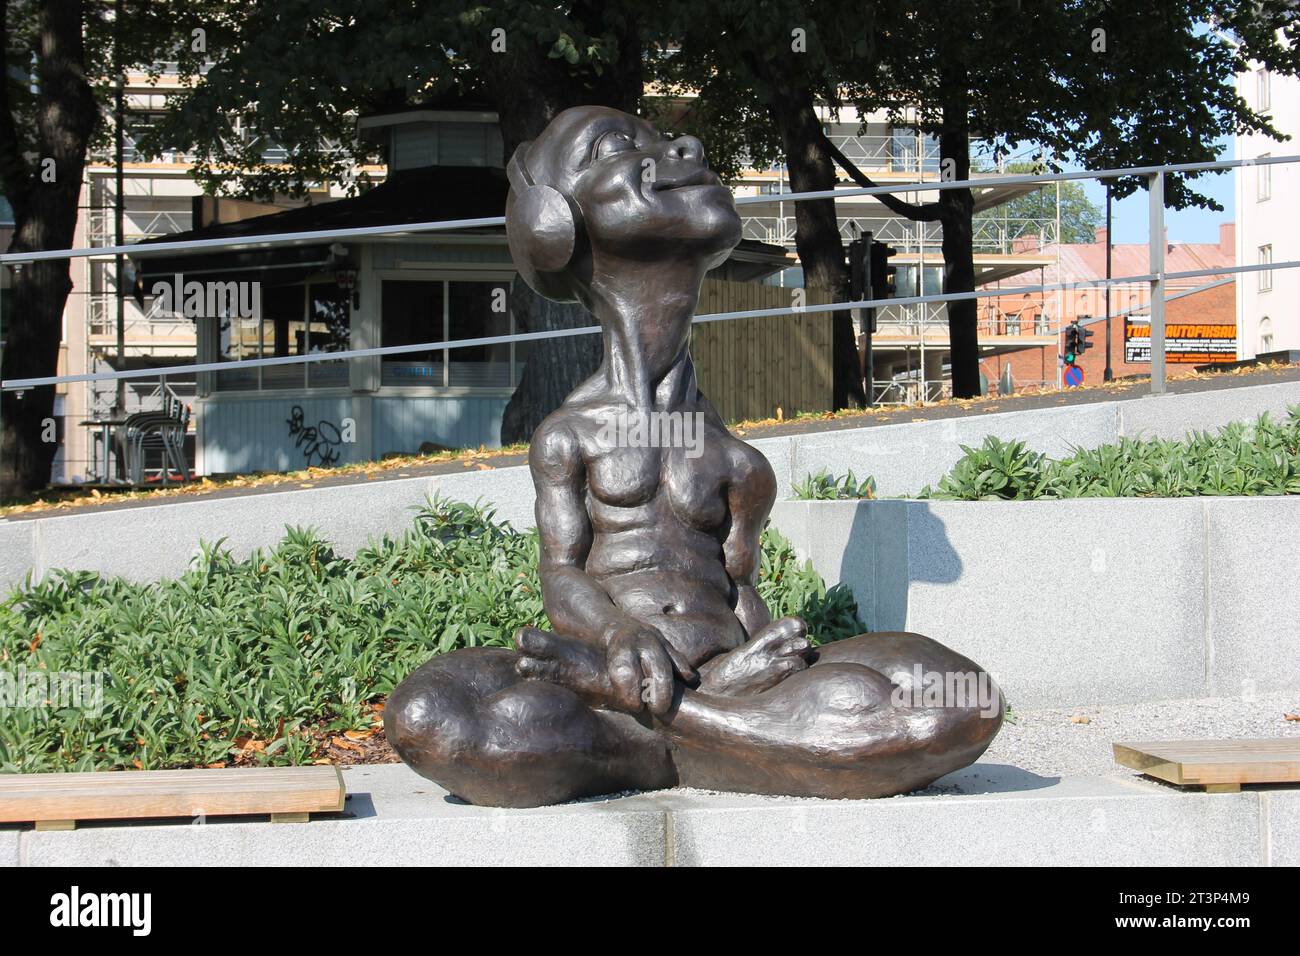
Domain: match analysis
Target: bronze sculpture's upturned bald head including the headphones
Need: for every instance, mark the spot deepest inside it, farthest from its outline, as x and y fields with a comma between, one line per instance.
x=604, y=185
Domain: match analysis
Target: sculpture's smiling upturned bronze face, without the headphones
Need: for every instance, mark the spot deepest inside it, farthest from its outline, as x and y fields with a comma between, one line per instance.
x=643, y=194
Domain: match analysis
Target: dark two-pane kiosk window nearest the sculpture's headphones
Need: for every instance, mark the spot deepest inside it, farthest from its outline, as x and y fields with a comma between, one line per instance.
x=415, y=312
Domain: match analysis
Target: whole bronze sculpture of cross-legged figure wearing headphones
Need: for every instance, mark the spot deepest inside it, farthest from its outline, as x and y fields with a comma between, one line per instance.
x=665, y=667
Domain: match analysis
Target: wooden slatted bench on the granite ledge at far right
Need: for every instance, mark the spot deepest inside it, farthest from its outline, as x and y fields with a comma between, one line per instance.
x=1220, y=767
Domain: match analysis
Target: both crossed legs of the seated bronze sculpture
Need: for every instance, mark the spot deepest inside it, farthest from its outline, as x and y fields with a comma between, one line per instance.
x=837, y=729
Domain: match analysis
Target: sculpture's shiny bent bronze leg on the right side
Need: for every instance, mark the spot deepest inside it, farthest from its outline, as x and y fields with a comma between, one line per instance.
x=873, y=716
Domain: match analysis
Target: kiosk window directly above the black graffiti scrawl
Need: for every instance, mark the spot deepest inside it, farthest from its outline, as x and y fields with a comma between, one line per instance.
x=292, y=321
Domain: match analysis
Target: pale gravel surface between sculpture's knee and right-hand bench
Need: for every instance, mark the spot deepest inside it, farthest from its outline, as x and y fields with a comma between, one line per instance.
x=1051, y=743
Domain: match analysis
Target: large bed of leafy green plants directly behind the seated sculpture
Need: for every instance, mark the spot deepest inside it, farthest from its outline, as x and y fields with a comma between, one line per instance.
x=291, y=637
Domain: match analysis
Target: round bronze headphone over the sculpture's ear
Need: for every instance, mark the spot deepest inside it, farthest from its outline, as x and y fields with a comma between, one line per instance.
x=543, y=228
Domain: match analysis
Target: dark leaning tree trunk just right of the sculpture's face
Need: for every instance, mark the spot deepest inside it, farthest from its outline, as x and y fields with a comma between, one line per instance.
x=817, y=231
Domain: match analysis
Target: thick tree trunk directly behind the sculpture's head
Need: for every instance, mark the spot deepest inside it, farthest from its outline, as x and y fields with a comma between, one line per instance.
x=528, y=88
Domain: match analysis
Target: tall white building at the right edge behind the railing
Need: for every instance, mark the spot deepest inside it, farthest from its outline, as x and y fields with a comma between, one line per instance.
x=1268, y=304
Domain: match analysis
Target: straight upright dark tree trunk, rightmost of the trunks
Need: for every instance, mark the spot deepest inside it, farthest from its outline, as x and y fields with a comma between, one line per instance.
x=956, y=215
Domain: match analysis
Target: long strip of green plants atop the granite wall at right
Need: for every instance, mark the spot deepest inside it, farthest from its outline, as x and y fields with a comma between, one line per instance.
x=1260, y=458
